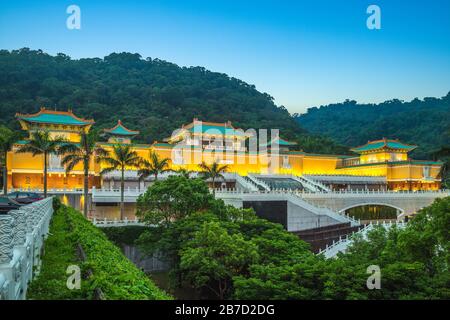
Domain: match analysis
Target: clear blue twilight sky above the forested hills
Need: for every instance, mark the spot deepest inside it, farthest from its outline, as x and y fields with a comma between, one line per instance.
x=303, y=53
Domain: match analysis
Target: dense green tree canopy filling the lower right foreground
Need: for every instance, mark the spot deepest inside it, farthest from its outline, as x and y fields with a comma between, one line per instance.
x=225, y=252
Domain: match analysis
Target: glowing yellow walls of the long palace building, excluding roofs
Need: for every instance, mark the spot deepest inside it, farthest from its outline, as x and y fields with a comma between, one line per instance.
x=26, y=170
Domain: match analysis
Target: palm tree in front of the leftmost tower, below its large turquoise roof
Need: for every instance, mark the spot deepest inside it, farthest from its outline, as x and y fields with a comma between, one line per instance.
x=42, y=143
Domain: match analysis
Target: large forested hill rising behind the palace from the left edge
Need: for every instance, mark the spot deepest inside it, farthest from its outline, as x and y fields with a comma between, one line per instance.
x=149, y=95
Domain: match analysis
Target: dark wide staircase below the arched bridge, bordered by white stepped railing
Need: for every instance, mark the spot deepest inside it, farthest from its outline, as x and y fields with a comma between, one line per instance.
x=320, y=238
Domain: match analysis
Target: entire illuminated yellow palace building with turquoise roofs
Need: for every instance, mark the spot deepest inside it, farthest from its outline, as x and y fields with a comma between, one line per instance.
x=207, y=141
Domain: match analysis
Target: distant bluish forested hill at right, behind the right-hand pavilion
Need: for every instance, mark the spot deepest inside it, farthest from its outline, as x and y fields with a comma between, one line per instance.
x=425, y=123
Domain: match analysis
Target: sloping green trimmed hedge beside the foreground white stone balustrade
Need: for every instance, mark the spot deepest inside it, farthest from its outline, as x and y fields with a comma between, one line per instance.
x=116, y=276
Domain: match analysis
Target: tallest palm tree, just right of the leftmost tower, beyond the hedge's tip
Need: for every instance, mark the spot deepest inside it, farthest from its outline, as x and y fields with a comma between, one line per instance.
x=82, y=152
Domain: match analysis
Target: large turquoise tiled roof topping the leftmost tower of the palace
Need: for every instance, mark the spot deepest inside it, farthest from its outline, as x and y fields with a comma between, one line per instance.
x=45, y=116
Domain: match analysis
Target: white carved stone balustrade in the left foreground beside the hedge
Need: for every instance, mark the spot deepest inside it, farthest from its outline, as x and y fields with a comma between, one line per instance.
x=22, y=234
